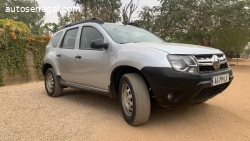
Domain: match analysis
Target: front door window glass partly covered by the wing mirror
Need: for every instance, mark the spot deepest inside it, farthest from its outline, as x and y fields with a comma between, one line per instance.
x=88, y=35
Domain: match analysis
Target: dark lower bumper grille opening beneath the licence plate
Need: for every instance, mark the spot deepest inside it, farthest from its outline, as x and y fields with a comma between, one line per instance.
x=211, y=91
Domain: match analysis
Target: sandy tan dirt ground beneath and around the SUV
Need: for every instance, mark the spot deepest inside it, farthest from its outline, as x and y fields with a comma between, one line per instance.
x=27, y=113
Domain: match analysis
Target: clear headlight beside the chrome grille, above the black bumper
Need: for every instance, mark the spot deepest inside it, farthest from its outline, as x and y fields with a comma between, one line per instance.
x=183, y=63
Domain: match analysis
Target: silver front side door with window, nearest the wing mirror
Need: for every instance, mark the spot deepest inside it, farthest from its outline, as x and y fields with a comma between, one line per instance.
x=91, y=66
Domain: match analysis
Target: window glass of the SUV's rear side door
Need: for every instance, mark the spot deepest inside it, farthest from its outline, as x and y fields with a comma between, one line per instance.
x=69, y=39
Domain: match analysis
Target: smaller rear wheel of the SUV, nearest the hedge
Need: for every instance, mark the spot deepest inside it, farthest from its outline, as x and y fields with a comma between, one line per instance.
x=52, y=86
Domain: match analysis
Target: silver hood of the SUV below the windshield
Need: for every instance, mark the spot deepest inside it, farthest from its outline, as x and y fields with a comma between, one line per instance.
x=176, y=48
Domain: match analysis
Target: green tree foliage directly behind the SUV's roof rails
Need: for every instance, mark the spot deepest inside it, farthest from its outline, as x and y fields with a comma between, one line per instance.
x=95, y=8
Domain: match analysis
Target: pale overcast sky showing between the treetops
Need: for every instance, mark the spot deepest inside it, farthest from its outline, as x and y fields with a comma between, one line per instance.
x=52, y=16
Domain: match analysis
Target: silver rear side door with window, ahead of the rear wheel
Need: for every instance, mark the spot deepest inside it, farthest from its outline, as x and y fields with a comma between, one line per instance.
x=65, y=55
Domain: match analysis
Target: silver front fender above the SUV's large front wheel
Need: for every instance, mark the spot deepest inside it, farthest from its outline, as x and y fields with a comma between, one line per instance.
x=137, y=57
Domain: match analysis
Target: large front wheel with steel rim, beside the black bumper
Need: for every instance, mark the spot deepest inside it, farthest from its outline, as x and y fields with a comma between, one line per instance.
x=134, y=99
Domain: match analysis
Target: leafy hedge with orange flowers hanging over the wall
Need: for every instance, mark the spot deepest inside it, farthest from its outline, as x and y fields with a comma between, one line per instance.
x=14, y=45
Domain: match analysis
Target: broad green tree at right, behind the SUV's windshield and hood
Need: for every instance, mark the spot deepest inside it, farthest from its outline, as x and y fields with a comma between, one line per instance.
x=199, y=21
